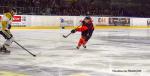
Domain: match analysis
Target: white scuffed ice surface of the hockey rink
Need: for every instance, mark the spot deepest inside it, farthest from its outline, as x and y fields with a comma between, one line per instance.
x=117, y=52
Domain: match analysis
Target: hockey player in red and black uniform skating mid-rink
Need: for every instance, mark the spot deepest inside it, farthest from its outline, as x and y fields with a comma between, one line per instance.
x=86, y=30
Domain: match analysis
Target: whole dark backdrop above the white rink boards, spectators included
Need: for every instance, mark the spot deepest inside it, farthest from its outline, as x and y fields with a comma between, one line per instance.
x=132, y=8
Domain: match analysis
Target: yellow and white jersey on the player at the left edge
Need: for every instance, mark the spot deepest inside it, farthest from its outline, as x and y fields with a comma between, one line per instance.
x=6, y=20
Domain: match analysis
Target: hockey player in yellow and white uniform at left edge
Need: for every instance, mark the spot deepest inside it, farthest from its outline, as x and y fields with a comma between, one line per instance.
x=5, y=30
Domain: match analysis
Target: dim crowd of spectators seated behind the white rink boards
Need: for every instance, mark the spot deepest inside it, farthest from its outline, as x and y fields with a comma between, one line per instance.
x=61, y=7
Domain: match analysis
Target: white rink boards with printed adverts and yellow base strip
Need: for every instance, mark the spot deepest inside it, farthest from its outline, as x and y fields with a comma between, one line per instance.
x=51, y=22
